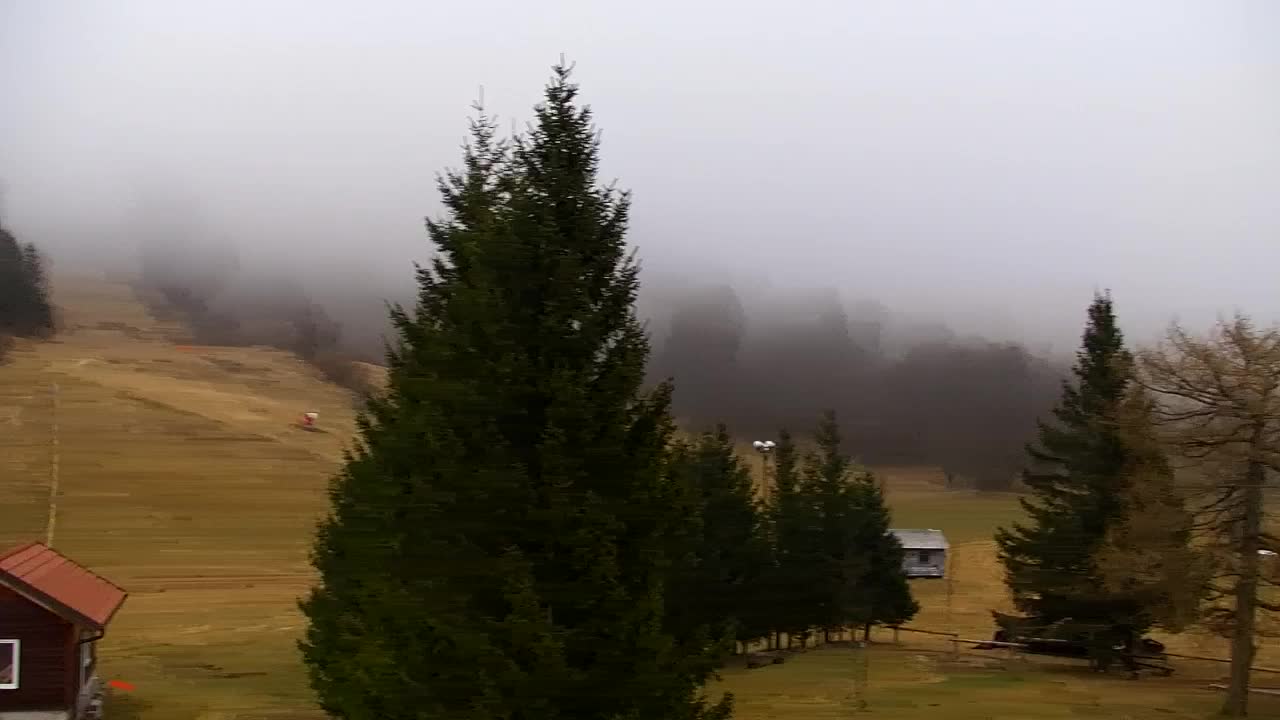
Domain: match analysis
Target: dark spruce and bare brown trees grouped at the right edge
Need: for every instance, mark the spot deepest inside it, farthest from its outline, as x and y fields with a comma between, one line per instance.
x=1148, y=493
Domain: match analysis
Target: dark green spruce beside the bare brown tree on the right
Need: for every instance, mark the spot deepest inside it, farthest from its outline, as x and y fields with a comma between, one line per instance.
x=1081, y=476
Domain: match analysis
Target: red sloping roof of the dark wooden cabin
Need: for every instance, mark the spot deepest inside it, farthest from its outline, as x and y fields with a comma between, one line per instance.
x=48, y=578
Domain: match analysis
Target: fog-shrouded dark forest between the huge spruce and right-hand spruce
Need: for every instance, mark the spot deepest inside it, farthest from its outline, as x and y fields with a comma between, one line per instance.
x=968, y=405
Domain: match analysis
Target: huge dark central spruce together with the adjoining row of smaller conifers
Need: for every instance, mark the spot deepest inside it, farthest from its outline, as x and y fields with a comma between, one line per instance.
x=522, y=531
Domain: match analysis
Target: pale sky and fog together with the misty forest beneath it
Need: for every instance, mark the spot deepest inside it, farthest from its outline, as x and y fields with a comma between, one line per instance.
x=900, y=209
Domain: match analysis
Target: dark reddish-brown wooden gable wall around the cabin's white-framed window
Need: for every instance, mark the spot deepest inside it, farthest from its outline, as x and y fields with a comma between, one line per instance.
x=48, y=642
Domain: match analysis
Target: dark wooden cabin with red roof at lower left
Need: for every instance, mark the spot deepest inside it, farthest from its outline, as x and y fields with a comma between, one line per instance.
x=53, y=613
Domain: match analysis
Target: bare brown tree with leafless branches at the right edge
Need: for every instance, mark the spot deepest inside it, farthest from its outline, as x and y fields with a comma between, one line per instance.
x=1220, y=411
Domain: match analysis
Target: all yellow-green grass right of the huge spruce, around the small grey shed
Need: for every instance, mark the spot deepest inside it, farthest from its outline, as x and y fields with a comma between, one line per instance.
x=920, y=677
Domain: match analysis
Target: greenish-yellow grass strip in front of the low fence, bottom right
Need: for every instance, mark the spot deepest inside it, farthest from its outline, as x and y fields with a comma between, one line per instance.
x=912, y=682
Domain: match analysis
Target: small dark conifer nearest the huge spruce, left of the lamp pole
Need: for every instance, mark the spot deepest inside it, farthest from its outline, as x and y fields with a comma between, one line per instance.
x=719, y=585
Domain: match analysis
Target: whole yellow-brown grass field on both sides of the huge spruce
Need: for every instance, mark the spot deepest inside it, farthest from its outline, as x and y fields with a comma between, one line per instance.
x=181, y=475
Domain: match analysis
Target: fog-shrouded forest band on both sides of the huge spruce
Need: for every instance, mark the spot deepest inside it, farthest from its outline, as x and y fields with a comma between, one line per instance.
x=908, y=397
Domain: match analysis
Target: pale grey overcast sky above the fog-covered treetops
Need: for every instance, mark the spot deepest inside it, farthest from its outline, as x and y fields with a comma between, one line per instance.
x=993, y=162
